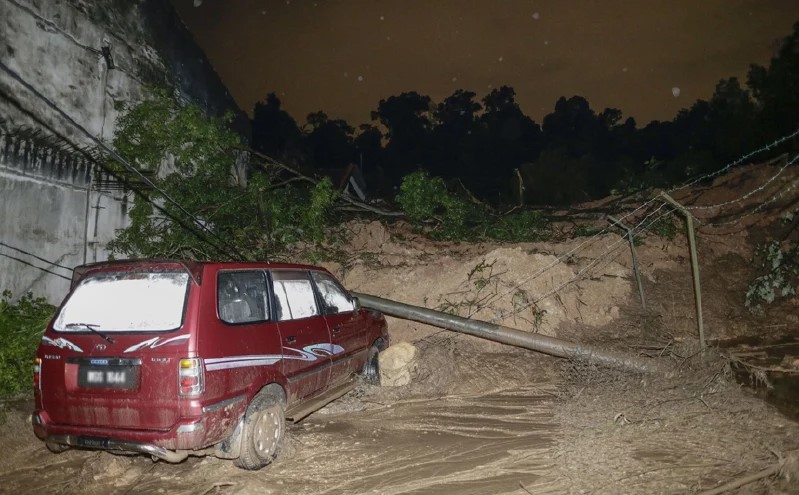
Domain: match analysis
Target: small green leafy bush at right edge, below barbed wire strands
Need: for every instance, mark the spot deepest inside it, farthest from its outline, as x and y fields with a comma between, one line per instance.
x=781, y=267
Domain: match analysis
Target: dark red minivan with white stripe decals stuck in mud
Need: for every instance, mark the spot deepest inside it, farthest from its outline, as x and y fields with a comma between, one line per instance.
x=172, y=358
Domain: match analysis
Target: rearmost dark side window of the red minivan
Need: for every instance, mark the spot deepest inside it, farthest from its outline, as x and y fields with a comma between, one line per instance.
x=241, y=296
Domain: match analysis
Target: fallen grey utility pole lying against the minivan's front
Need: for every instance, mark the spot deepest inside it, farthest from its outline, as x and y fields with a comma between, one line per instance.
x=511, y=336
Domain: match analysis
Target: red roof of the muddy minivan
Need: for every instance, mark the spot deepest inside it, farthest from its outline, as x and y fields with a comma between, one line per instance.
x=195, y=268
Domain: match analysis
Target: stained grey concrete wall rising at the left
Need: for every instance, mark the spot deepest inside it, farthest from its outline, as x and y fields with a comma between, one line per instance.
x=58, y=209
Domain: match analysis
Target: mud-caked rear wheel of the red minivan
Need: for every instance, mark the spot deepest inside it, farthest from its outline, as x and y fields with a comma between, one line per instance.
x=263, y=432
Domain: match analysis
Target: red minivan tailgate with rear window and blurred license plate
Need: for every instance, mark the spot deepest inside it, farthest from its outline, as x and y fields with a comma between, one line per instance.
x=111, y=357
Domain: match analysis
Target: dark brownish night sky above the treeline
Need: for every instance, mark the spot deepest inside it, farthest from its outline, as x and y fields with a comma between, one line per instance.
x=343, y=56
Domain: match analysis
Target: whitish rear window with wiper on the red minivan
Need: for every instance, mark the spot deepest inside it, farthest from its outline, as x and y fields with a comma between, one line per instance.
x=126, y=302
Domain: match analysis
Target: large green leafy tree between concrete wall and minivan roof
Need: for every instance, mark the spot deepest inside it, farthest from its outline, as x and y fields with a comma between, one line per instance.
x=253, y=213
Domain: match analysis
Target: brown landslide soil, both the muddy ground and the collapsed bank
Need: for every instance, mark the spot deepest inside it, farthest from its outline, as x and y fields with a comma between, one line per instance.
x=480, y=417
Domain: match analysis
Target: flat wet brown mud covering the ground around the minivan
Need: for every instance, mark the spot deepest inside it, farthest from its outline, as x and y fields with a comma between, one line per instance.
x=555, y=428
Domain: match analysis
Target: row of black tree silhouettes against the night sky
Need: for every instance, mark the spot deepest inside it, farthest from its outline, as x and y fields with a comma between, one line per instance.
x=576, y=154
